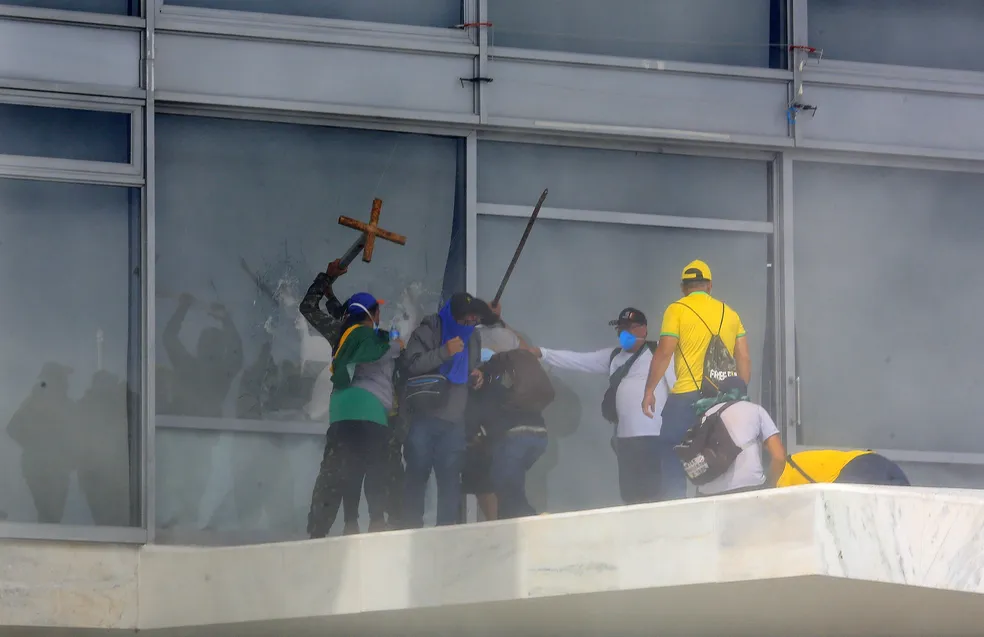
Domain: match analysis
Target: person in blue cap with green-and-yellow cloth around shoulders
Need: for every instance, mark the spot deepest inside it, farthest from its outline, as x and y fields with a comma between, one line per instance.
x=362, y=396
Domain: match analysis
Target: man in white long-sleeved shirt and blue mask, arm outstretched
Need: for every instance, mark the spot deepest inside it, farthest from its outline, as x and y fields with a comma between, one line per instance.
x=636, y=439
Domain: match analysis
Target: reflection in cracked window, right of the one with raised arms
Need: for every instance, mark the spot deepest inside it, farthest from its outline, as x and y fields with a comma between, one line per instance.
x=263, y=481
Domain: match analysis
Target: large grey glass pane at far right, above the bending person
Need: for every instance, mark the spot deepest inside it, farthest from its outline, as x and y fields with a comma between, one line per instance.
x=887, y=264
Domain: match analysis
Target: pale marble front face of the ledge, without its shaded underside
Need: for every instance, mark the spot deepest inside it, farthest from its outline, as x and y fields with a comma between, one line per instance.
x=911, y=537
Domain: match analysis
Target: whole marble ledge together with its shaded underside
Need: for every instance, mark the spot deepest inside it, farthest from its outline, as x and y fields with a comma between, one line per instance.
x=857, y=560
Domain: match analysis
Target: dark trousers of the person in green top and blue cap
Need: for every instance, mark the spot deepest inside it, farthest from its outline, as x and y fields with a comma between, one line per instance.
x=354, y=450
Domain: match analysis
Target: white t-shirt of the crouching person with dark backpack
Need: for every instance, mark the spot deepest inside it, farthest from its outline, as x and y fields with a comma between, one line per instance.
x=750, y=426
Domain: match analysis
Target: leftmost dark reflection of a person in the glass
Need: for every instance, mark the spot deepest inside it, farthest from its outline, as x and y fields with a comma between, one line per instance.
x=40, y=426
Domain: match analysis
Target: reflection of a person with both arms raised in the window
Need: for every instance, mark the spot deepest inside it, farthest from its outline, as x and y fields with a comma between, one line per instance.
x=201, y=383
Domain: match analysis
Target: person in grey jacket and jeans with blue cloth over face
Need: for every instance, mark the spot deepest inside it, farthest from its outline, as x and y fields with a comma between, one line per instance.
x=440, y=362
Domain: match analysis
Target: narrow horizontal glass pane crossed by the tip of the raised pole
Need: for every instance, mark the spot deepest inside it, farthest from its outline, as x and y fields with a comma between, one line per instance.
x=621, y=181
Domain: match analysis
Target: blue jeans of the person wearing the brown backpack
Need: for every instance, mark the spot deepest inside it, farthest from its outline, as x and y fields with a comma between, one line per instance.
x=512, y=457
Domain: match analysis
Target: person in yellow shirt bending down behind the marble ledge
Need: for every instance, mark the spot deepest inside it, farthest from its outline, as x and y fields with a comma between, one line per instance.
x=844, y=467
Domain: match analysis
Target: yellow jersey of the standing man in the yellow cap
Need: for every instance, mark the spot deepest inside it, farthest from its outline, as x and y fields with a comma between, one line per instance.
x=685, y=324
